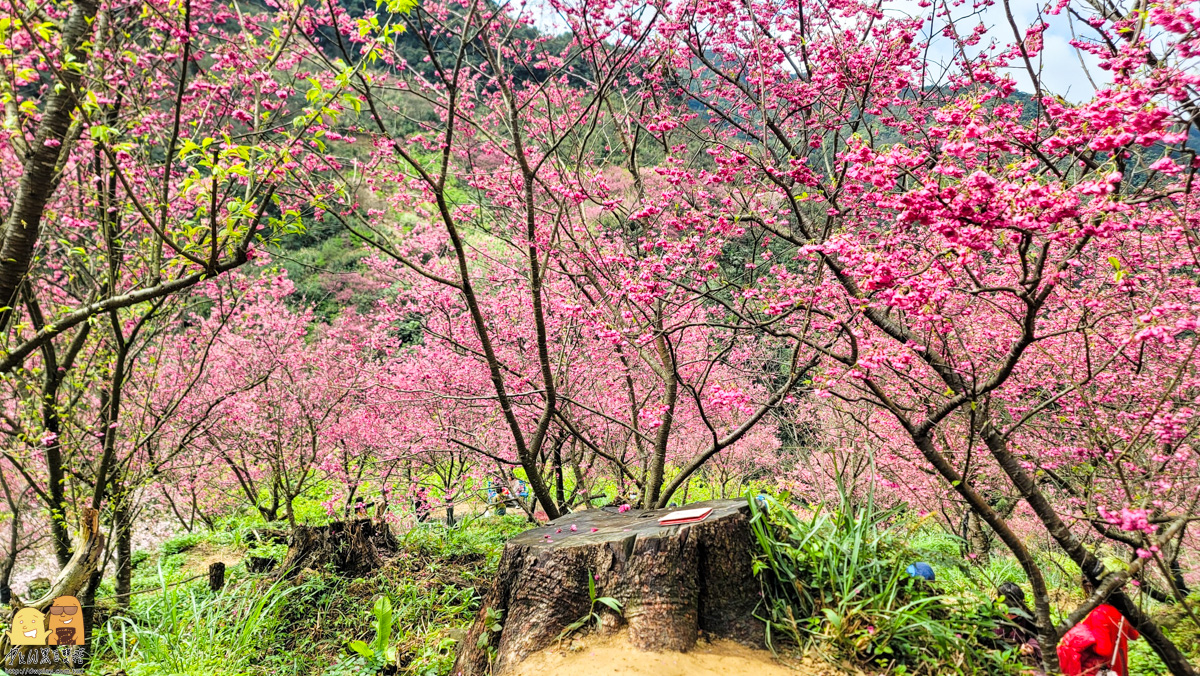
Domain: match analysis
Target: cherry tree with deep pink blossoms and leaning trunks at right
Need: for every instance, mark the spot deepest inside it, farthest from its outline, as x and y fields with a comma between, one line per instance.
x=973, y=258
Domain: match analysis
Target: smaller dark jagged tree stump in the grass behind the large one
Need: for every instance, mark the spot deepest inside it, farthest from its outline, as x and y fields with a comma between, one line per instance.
x=352, y=548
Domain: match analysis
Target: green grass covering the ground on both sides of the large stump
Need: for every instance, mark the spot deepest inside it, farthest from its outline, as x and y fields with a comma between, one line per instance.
x=833, y=579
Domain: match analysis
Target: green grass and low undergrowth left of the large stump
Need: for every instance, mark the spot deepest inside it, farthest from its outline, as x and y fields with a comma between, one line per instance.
x=304, y=626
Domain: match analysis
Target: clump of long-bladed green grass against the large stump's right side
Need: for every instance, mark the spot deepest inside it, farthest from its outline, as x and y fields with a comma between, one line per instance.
x=835, y=582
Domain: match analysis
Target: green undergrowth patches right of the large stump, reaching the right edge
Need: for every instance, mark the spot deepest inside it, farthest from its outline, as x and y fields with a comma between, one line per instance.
x=835, y=584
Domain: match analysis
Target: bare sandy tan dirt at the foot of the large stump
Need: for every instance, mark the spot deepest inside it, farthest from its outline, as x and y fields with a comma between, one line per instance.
x=616, y=657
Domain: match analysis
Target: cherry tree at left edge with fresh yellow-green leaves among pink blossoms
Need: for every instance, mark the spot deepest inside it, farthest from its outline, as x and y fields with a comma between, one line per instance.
x=147, y=148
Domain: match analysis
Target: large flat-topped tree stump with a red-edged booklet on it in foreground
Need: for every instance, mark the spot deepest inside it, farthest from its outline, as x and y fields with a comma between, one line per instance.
x=673, y=583
